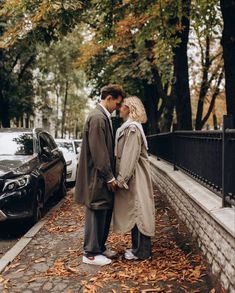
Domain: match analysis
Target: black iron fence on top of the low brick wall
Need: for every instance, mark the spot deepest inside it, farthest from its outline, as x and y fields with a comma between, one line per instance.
x=207, y=156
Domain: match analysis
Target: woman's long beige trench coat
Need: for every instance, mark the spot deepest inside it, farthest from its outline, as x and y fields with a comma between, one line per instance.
x=134, y=202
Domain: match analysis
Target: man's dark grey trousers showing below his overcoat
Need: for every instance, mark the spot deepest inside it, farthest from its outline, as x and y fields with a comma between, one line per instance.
x=97, y=224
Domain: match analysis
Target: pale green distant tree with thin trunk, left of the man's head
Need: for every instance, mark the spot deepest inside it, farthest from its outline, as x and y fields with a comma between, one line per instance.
x=58, y=77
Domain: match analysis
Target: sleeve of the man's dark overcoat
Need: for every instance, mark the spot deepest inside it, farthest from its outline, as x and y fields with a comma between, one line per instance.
x=98, y=148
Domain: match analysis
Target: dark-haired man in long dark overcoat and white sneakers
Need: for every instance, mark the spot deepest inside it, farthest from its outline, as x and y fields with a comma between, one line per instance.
x=96, y=183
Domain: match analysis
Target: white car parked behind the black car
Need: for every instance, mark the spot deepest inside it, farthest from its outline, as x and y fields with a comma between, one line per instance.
x=71, y=156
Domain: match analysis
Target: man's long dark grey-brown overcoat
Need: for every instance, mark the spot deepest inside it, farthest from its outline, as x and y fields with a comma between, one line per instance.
x=97, y=163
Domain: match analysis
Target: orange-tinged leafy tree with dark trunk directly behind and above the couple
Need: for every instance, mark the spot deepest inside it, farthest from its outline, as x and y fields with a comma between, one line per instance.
x=138, y=45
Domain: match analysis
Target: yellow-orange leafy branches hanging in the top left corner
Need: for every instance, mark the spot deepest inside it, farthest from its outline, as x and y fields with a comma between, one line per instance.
x=38, y=20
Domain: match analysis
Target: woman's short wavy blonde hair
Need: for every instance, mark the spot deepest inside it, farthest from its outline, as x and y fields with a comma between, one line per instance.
x=137, y=110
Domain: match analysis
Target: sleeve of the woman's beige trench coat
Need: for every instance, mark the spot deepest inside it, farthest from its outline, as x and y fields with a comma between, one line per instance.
x=129, y=158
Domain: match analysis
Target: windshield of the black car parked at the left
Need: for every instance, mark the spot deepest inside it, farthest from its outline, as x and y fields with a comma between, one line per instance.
x=18, y=143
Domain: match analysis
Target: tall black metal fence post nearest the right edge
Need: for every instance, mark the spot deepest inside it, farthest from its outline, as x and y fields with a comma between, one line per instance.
x=227, y=124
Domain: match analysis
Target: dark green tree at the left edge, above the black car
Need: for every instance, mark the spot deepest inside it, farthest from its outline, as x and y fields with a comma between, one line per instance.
x=16, y=86
